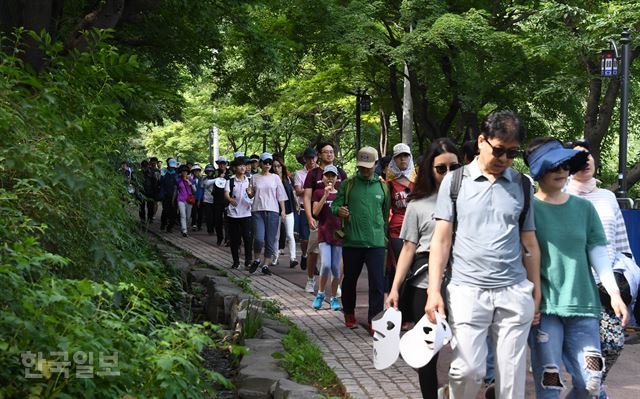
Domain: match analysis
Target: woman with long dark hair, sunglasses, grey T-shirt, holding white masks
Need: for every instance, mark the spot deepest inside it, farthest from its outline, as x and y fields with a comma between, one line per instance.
x=417, y=229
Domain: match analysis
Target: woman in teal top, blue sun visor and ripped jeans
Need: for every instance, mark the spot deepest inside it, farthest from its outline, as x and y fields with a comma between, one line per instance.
x=571, y=240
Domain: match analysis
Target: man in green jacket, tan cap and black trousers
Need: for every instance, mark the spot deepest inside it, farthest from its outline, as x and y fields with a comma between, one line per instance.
x=363, y=205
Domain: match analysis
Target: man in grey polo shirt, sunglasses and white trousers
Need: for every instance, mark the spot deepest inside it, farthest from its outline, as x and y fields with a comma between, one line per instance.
x=495, y=275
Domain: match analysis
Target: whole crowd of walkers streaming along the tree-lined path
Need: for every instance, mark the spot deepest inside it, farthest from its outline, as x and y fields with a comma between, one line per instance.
x=511, y=260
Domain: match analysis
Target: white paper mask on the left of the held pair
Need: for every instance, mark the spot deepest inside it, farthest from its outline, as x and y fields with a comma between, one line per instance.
x=386, y=338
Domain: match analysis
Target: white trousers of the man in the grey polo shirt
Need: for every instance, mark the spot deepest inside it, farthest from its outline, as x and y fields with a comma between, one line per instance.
x=505, y=313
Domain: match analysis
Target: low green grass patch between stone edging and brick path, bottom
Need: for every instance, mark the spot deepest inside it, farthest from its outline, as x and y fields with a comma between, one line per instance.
x=304, y=362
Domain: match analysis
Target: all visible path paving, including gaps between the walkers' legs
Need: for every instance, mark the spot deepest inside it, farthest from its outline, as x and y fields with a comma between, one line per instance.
x=349, y=352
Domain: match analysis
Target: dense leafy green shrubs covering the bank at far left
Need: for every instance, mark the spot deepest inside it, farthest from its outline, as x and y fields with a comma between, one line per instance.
x=76, y=276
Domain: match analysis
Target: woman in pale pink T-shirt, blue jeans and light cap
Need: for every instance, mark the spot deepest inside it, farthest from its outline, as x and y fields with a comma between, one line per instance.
x=267, y=211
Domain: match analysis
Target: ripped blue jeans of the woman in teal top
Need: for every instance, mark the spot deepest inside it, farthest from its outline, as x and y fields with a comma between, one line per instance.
x=574, y=342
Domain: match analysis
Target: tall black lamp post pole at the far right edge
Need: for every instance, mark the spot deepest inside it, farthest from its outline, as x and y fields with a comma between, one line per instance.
x=625, y=40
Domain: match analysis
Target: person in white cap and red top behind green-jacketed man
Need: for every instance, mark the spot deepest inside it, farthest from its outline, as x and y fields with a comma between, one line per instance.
x=400, y=178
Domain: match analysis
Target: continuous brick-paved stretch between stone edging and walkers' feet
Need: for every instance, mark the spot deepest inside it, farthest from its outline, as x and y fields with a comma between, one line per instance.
x=347, y=352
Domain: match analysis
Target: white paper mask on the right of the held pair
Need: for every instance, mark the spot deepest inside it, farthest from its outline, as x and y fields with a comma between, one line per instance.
x=422, y=342
